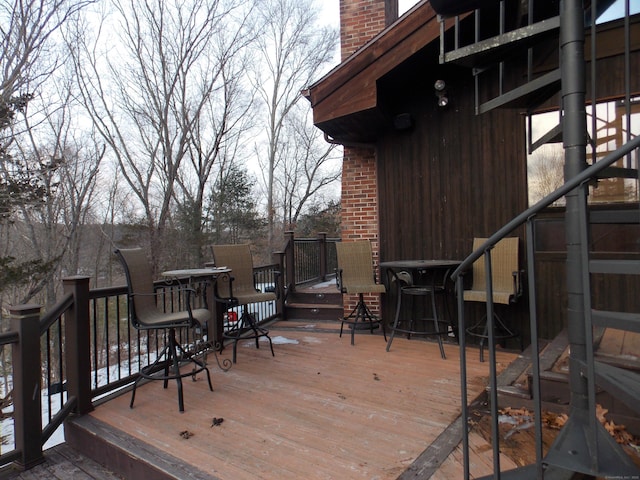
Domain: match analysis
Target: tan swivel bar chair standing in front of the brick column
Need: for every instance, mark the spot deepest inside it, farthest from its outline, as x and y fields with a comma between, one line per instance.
x=355, y=275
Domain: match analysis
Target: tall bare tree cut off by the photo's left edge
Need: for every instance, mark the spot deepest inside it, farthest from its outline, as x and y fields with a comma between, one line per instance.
x=29, y=57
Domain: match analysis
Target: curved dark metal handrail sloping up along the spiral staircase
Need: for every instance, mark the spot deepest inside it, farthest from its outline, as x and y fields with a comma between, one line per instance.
x=576, y=181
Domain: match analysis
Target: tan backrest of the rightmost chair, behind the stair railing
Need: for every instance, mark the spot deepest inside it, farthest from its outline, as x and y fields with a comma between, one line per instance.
x=504, y=263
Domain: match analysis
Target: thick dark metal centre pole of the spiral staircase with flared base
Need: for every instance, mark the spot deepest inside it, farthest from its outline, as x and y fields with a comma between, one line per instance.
x=583, y=445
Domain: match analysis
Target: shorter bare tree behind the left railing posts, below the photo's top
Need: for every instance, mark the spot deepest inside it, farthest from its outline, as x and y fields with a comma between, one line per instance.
x=67, y=165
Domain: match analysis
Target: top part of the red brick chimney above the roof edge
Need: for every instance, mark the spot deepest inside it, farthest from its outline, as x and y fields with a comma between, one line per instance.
x=361, y=20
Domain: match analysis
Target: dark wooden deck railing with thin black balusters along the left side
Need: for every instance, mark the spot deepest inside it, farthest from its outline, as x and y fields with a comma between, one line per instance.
x=80, y=353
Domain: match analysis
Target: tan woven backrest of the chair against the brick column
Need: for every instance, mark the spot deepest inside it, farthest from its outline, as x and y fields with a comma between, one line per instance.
x=355, y=260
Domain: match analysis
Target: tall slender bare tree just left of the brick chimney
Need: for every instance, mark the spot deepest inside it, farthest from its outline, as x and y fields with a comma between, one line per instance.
x=293, y=50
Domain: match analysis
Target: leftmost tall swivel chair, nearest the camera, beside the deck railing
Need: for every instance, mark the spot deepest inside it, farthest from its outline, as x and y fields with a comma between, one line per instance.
x=146, y=313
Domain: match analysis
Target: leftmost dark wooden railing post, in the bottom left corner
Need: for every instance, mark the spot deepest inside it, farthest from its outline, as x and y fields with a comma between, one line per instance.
x=27, y=399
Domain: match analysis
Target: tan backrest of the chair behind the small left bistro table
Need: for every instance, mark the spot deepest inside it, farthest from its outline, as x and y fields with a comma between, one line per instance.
x=238, y=259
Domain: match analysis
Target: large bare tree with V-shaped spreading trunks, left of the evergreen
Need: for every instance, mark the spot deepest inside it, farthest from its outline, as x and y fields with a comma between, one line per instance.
x=149, y=94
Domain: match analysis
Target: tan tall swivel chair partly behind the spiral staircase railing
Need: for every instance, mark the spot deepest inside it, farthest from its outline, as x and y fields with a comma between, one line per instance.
x=506, y=287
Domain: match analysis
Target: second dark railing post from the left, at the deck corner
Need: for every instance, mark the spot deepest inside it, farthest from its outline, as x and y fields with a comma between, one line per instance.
x=77, y=343
